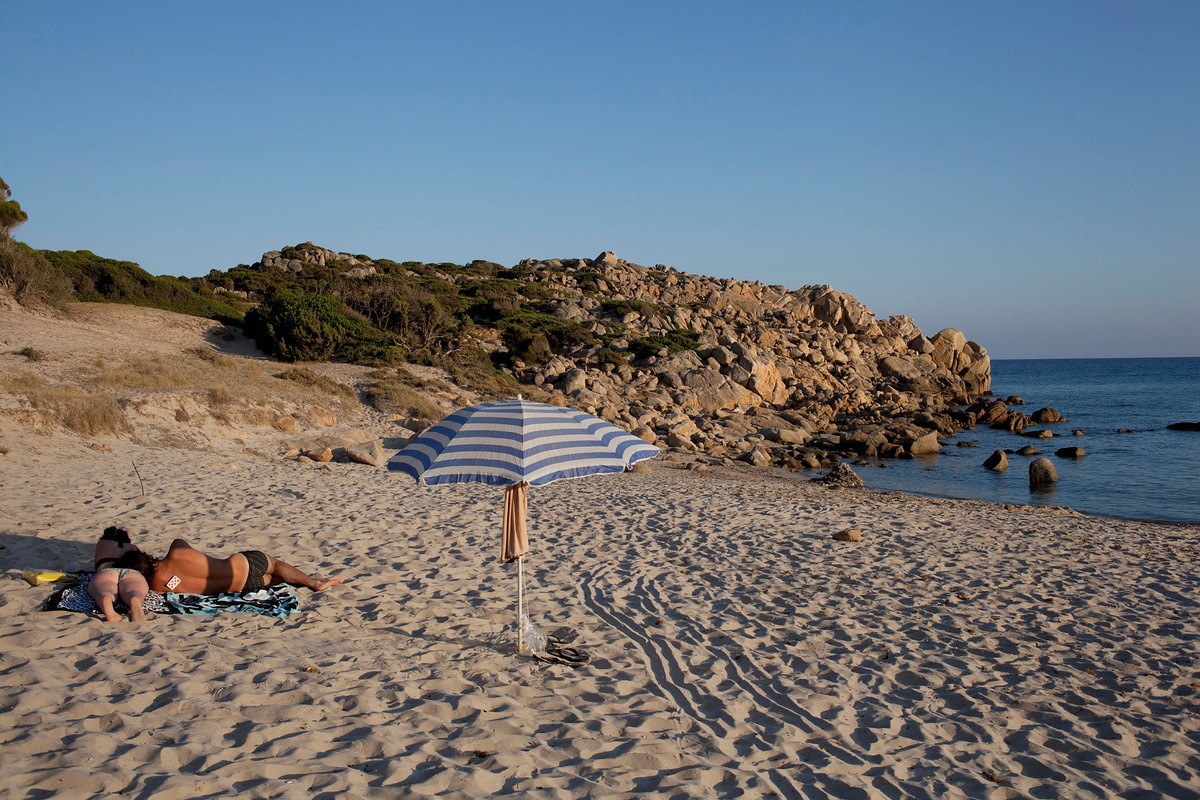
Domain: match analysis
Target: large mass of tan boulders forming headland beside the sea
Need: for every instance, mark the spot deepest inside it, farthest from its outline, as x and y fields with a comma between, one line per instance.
x=794, y=378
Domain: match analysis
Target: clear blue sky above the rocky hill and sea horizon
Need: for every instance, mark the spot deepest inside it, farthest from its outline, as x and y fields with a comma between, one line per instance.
x=1025, y=172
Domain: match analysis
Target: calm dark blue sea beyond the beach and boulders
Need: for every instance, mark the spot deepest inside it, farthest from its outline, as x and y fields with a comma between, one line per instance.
x=1151, y=474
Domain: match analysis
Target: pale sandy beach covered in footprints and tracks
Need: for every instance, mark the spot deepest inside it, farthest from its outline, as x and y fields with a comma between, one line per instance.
x=961, y=651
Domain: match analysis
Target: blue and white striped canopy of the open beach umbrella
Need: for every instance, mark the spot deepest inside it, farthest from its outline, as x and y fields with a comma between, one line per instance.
x=514, y=442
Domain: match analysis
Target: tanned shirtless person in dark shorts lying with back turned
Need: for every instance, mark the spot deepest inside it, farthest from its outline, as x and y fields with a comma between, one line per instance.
x=190, y=572
